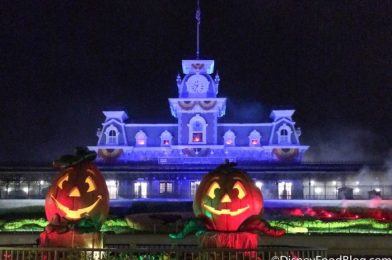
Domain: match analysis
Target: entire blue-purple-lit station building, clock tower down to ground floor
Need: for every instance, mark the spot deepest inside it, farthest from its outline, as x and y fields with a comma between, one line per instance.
x=167, y=161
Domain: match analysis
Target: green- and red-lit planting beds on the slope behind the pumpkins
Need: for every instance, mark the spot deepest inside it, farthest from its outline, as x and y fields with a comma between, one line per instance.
x=323, y=221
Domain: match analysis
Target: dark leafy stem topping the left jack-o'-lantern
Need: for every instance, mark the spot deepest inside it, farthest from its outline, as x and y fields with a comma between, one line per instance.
x=82, y=154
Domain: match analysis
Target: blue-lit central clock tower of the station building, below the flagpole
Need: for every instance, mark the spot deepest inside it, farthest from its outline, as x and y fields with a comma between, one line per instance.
x=197, y=107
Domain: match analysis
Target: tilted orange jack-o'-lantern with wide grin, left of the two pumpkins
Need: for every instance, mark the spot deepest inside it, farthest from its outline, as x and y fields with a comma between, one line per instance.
x=79, y=191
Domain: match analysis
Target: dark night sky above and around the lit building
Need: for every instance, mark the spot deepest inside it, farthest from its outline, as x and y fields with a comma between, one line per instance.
x=63, y=62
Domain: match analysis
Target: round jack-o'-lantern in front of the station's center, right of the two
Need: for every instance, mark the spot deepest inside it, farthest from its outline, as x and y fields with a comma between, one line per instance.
x=227, y=199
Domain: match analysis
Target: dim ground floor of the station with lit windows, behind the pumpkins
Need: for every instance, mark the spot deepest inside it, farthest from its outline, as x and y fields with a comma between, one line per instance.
x=277, y=181
